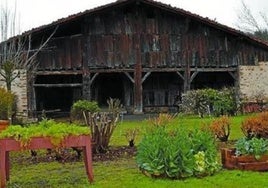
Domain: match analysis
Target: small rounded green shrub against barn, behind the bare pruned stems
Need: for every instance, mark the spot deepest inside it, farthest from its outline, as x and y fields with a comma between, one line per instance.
x=81, y=106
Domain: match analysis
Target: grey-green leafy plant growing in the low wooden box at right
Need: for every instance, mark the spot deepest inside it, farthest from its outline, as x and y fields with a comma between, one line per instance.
x=254, y=146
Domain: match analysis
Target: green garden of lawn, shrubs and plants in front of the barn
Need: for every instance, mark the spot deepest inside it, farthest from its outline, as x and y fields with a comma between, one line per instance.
x=165, y=150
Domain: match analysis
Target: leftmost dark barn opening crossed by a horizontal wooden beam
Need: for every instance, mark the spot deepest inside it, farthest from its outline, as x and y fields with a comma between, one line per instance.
x=57, y=92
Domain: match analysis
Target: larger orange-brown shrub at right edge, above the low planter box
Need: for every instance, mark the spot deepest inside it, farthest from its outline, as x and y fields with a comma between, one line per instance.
x=256, y=126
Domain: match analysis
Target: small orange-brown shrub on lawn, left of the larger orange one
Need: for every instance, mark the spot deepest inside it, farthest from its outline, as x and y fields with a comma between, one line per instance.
x=220, y=127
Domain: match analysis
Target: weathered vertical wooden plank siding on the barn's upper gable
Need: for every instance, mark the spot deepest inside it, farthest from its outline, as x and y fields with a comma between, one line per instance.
x=167, y=41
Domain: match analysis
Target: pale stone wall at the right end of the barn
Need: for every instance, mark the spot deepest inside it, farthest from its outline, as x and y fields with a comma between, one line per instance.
x=253, y=82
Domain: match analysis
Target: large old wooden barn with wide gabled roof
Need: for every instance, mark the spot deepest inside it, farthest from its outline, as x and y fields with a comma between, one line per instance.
x=143, y=52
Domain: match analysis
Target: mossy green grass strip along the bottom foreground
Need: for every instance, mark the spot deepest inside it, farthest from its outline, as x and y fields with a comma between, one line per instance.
x=122, y=173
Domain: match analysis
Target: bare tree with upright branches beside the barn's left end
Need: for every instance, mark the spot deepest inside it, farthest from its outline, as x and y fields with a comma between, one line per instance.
x=16, y=52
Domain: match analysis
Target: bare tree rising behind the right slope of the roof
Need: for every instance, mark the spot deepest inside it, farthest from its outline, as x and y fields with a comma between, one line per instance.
x=256, y=25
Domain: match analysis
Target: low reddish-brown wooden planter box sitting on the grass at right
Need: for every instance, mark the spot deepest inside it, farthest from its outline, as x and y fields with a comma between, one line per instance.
x=245, y=162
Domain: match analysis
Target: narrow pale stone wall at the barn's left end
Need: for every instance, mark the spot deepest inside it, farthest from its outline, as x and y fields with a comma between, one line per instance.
x=19, y=87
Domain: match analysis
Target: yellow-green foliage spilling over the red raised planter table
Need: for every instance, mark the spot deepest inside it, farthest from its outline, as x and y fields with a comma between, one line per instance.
x=46, y=128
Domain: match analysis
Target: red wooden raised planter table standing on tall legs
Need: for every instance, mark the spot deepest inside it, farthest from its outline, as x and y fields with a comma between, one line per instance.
x=9, y=144
